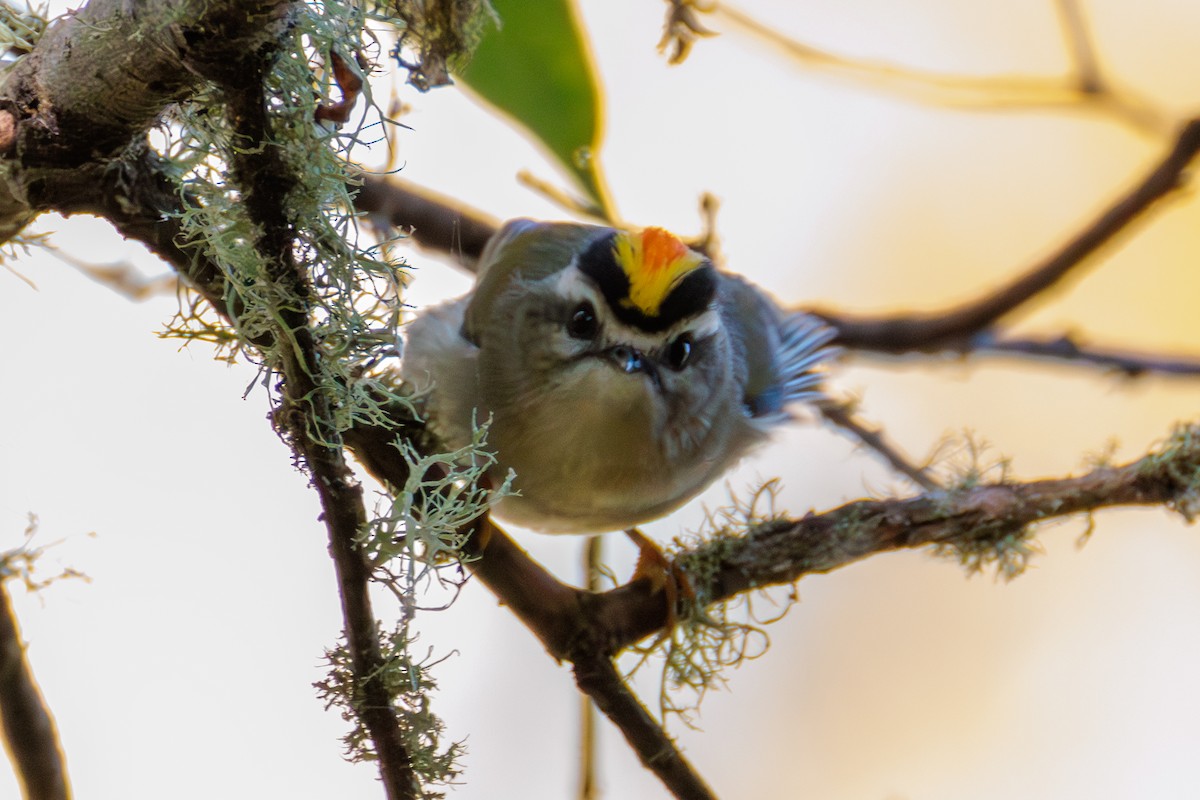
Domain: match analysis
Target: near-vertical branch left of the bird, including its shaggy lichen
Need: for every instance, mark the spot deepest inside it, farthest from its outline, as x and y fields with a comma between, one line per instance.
x=321, y=314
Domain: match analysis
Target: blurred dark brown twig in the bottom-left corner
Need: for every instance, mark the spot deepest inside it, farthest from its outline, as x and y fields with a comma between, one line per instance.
x=29, y=730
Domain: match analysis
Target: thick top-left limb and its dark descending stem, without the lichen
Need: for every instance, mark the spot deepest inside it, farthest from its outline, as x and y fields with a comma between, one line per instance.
x=75, y=115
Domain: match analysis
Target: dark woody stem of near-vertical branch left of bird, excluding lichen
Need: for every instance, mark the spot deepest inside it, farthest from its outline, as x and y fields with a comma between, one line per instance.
x=307, y=419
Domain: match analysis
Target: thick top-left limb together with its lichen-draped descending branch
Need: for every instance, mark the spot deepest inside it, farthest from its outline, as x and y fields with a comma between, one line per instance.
x=265, y=234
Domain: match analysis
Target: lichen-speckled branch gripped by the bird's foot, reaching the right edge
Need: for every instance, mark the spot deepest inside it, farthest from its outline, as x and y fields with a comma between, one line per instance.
x=981, y=526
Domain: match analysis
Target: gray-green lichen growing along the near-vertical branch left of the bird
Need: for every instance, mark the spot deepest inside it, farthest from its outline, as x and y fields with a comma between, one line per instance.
x=350, y=299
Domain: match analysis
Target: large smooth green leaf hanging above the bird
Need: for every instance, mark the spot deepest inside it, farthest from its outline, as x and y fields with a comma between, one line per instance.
x=537, y=70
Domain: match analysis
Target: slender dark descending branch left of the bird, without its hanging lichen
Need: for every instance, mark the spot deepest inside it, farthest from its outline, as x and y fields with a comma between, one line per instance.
x=271, y=177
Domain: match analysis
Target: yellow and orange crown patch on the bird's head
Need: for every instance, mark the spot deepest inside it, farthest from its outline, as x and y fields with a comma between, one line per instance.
x=656, y=262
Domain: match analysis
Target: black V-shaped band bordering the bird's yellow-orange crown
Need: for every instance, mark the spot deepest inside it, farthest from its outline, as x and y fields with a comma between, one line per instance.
x=689, y=298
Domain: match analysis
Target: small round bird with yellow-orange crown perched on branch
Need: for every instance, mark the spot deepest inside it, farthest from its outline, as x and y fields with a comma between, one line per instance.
x=622, y=372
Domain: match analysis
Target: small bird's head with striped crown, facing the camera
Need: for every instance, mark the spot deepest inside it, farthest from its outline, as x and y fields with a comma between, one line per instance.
x=621, y=350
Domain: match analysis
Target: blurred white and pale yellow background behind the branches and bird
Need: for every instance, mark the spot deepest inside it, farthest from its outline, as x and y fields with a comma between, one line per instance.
x=183, y=670
